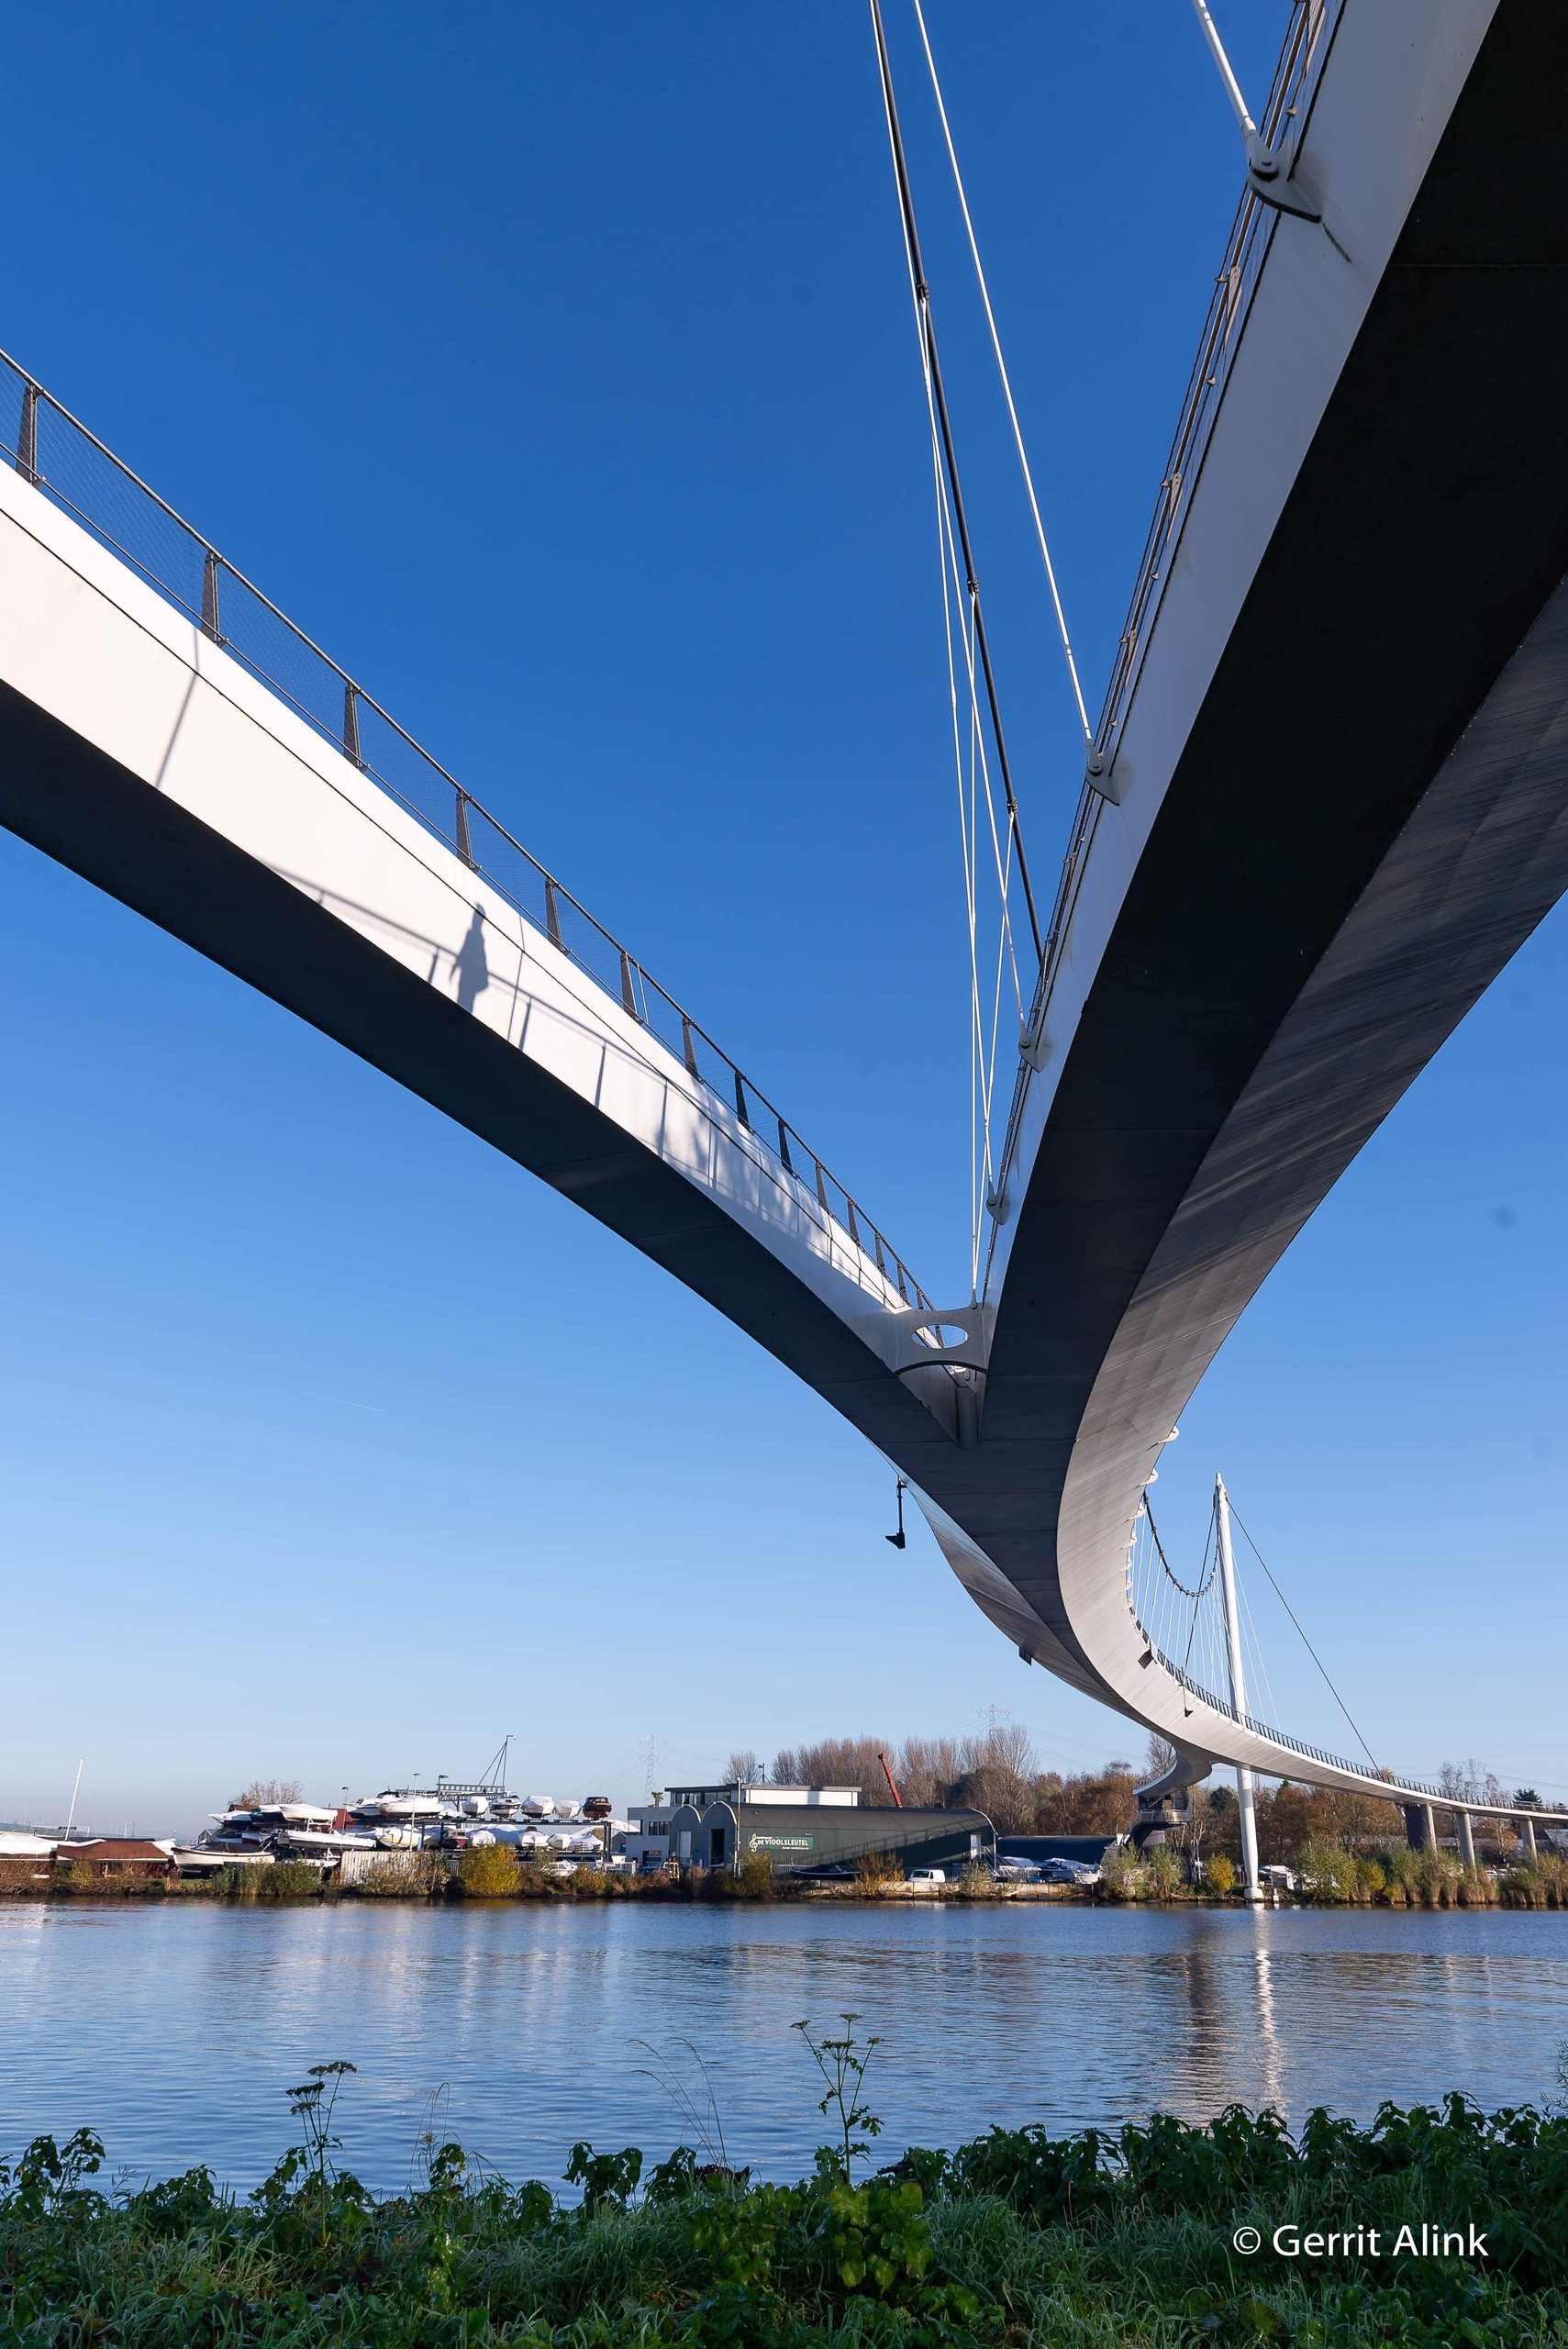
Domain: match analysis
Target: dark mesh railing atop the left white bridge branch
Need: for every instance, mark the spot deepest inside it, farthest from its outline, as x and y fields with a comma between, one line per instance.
x=60, y=457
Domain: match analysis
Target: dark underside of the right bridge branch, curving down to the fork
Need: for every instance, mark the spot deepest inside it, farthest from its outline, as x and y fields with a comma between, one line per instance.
x=1365, y=823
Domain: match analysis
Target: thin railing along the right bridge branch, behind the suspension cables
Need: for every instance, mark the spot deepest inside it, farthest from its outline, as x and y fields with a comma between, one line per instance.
x=1290, y=102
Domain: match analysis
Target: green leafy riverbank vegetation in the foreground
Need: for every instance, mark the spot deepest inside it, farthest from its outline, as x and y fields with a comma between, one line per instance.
x=1442, y=2228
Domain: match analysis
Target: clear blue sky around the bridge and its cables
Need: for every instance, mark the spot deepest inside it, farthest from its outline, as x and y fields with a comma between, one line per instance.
x=555, y=370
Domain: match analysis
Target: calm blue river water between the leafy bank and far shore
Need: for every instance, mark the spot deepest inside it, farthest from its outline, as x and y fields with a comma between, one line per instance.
x=177, y=2033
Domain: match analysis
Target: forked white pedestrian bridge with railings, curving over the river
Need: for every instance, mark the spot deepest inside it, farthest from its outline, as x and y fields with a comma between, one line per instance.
x=1325, y=805
